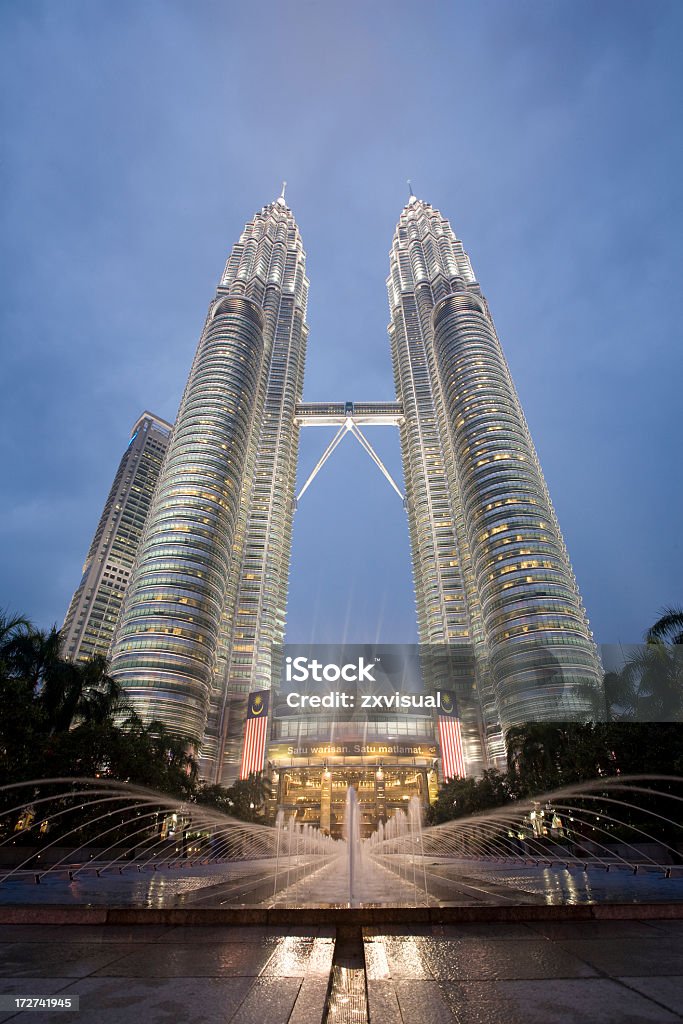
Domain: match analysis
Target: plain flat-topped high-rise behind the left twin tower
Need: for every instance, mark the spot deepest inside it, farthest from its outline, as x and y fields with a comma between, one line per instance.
x=95, y=609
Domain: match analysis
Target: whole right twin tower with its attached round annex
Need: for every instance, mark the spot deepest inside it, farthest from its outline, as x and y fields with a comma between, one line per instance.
x=519, y=602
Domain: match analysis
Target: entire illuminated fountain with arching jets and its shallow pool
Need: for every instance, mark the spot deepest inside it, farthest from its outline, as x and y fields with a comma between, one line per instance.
x=99, y=841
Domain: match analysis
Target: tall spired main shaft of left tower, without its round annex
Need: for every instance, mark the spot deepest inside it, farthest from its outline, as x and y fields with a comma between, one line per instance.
x=269, y=265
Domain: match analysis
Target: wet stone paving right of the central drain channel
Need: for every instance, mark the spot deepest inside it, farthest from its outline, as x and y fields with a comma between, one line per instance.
x=603, y=972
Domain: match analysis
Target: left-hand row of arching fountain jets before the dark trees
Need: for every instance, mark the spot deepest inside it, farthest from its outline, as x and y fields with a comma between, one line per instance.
x=82, y=830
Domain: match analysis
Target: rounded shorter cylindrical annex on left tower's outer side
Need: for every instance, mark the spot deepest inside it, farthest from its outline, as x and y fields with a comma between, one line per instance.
x=167, y=638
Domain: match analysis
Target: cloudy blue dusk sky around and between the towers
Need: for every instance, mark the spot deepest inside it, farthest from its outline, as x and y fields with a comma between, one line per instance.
x=140, y=136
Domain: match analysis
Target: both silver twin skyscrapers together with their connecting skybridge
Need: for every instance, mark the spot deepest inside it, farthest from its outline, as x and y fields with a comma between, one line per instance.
x=499, y=613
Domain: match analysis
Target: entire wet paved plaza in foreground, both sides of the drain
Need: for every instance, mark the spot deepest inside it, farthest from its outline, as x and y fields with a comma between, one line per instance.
x=593, y=972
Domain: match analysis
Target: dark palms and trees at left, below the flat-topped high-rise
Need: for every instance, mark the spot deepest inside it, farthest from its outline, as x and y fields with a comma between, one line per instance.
x=64, y=718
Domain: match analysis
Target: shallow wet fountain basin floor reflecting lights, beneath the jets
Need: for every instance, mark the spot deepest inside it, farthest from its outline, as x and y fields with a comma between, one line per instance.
x=396, y=882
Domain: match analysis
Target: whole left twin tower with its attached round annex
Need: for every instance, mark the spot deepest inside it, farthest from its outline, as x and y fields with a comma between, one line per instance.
x=201, y=598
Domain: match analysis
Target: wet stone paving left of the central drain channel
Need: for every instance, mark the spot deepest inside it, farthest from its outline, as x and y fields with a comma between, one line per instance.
x=210, y=975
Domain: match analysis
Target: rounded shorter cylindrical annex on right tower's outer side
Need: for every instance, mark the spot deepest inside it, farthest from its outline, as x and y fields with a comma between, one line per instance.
x=542, y=659
